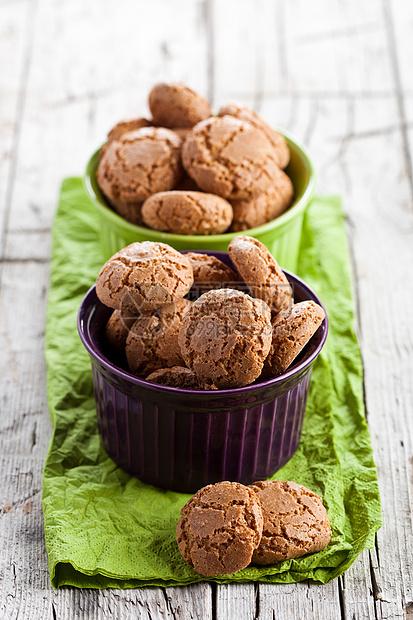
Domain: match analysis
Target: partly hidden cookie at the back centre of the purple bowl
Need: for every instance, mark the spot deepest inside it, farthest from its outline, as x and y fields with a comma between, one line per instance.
x=210, y=272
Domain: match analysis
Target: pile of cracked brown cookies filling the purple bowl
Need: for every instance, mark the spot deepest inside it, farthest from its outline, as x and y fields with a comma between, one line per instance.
x=189, y=321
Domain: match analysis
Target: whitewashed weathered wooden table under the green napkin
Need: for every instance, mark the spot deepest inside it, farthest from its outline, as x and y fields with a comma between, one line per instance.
x=336, y=74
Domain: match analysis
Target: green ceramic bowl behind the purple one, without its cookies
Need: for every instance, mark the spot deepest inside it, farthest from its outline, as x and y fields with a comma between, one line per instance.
x=281, y=236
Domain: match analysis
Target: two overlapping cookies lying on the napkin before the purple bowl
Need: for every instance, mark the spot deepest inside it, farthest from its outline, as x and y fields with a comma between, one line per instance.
x=226, y=526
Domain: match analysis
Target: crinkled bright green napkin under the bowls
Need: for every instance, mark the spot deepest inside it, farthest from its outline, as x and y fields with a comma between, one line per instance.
x=104, y=528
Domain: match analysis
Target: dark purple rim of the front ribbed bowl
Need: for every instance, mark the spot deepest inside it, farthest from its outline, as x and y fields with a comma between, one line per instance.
x=210, y=394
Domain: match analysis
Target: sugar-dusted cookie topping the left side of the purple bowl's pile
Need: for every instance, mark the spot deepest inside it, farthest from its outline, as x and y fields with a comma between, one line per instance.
x=144, y=276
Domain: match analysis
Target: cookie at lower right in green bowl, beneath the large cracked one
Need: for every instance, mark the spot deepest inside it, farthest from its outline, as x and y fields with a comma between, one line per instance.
x=264, y=207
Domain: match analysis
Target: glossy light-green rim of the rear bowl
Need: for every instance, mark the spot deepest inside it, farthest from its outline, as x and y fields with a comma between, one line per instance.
x=278, y=222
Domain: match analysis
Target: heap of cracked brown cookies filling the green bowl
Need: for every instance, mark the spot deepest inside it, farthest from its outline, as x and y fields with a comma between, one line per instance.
x=190, y=173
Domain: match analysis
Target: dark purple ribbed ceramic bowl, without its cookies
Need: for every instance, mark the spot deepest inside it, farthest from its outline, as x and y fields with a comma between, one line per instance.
x=183, y=440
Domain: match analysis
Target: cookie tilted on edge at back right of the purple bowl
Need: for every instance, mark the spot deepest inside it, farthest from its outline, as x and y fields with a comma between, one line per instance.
x=261, y=272
